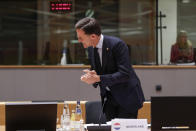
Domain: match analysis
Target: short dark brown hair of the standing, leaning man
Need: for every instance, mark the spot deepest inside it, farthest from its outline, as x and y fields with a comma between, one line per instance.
x=89, y=26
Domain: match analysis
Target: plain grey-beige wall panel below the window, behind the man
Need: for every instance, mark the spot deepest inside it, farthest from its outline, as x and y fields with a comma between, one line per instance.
x=64, y=84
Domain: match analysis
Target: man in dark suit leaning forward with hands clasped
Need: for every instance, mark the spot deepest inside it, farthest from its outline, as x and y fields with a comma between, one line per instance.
x=120, y=88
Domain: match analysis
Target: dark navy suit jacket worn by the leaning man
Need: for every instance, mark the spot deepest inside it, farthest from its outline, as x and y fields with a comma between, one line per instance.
x=118, y=74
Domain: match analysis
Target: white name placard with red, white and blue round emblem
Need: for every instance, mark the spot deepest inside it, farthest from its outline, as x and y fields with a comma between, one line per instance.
x=129, y=124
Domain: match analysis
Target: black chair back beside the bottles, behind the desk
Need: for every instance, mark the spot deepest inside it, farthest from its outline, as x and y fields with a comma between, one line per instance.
x=93, y=112
